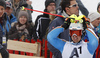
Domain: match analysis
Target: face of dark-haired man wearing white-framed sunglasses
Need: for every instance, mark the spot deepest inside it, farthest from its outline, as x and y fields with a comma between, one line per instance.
x=73, y=8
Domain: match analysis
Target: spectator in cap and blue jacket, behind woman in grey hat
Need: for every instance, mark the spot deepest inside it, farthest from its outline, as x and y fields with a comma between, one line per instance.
x=9, y=10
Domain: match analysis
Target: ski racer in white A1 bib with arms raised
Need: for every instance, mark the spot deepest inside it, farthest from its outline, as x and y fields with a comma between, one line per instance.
x=71, y=49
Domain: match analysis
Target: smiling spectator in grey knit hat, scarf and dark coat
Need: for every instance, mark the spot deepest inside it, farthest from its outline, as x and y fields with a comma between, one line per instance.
x=22, y=29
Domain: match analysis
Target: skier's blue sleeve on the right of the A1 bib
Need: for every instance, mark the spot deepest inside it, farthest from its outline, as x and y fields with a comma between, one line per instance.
x=93, y=40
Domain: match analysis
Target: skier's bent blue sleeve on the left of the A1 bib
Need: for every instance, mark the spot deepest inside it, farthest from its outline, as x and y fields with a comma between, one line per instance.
x=54, y=40
